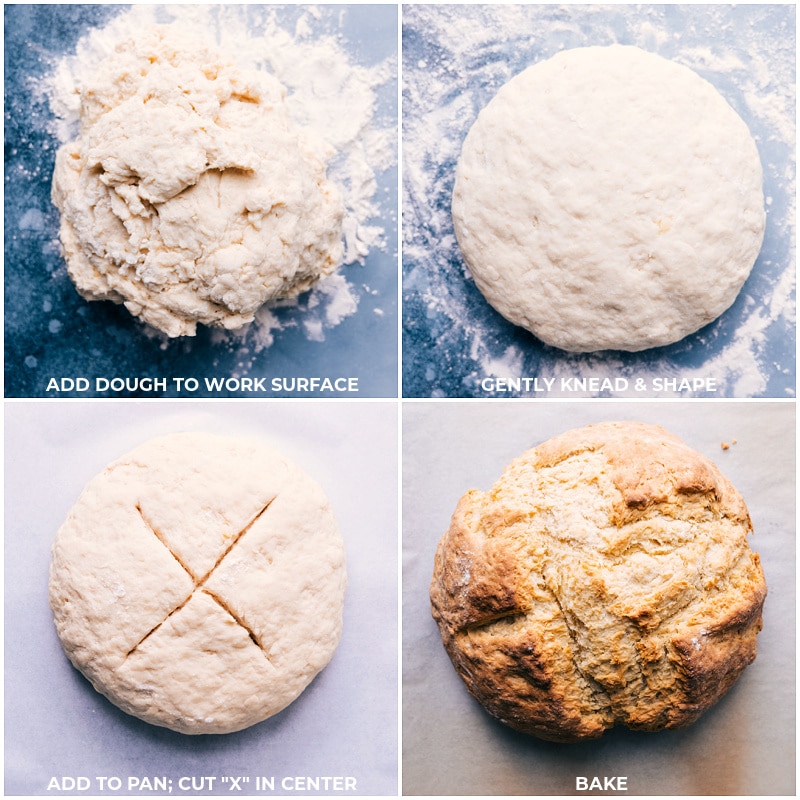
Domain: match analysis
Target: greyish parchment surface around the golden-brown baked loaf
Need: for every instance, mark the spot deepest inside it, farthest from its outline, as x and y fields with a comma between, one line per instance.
x=745, y=745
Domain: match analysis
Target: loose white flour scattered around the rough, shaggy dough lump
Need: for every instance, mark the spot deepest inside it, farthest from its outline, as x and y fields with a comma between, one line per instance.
x=308, y=55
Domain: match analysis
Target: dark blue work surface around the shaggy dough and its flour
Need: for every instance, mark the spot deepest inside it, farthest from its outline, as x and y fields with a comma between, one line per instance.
x=51, y=332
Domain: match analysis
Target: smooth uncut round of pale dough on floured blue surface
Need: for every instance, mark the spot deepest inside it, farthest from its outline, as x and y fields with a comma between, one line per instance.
x=609, y=199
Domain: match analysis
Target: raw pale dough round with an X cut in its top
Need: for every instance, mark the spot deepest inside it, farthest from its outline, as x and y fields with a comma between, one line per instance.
x=198, y=583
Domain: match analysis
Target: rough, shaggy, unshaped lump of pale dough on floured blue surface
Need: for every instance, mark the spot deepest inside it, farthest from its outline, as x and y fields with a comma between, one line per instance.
x=189, y=195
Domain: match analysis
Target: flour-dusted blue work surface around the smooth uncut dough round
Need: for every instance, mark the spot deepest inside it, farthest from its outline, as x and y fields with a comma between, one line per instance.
x=455, y=58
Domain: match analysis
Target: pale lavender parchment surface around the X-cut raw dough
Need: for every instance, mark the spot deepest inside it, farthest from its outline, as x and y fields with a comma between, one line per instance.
x=345, y=724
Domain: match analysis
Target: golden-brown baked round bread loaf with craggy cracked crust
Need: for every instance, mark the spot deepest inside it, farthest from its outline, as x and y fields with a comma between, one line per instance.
x=605, y=580
